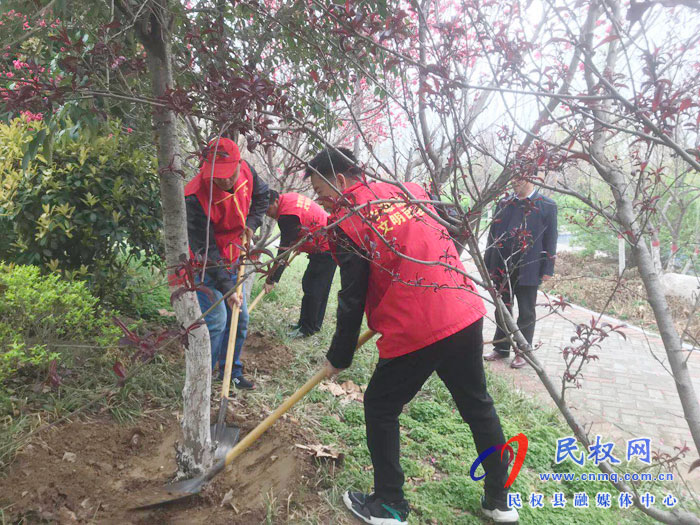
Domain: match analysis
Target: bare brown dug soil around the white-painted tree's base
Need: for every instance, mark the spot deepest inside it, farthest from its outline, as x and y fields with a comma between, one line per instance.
x=95, y=471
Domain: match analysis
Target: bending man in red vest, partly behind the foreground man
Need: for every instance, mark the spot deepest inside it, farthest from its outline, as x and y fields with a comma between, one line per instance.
x=300, y=218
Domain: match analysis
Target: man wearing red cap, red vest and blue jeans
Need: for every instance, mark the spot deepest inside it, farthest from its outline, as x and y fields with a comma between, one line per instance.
x=223, y=201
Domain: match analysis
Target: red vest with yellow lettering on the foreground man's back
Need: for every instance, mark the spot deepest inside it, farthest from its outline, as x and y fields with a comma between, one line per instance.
x=411, y=304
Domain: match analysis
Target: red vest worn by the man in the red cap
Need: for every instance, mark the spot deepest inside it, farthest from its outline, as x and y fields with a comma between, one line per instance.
x=229, y=210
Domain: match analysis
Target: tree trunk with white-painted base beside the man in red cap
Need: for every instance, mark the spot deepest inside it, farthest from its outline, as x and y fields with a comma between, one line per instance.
x=195, y=452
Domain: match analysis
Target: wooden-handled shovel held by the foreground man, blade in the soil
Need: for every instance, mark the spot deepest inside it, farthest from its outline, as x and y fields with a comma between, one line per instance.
x=189, y=487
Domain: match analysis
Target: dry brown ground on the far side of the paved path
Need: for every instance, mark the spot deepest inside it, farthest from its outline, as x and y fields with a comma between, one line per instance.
x=590, y=282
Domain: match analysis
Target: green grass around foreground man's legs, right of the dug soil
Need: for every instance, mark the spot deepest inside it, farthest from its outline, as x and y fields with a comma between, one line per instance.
x=437, y=448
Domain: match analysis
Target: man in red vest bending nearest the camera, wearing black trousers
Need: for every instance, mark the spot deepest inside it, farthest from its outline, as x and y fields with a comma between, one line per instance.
x=399, y=266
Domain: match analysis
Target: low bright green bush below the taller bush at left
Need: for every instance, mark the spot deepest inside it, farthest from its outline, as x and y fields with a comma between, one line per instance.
x=37, y=311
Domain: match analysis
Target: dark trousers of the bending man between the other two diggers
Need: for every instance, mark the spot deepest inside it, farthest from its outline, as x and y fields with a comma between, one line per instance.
x=316, y=285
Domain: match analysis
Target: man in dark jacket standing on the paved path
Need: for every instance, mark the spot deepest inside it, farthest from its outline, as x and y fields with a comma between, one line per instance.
x=520, y=256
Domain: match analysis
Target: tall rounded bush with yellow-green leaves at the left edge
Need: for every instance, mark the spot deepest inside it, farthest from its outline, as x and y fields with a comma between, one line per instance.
x=84, y=205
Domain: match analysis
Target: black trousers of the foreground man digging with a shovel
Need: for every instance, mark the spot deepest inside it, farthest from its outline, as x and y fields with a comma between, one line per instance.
x=457, y=359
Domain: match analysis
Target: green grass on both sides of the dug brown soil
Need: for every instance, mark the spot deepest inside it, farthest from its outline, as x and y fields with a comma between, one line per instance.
x=437, y=448
